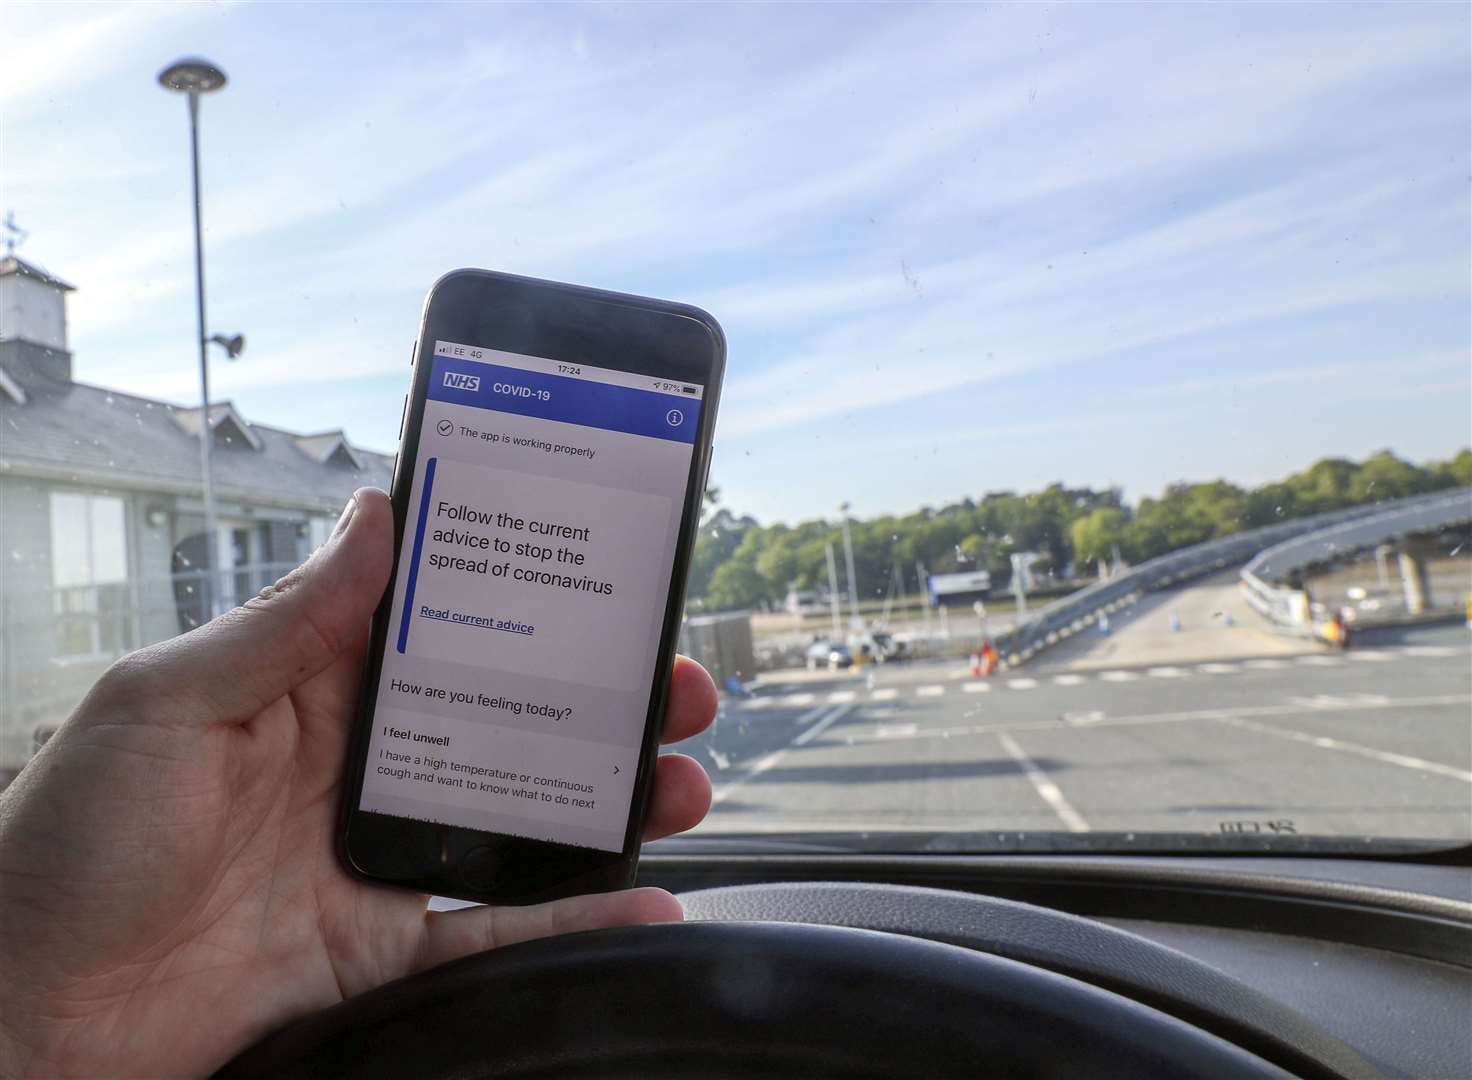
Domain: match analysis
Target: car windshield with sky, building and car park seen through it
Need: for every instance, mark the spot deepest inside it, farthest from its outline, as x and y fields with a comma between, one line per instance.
x=1093, y=467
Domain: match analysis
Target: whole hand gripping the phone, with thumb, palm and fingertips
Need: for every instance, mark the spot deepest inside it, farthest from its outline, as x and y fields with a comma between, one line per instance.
x=167, y=869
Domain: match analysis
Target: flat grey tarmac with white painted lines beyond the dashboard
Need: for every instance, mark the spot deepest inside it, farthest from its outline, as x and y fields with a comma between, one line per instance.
x=1374, y=742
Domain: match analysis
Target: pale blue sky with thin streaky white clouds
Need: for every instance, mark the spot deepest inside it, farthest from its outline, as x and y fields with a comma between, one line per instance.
x=955, y=249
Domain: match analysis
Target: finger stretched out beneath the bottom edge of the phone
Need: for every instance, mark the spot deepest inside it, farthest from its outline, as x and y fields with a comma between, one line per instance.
x=451, y=935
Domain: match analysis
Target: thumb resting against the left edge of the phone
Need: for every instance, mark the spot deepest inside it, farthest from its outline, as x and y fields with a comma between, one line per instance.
x=238, y=664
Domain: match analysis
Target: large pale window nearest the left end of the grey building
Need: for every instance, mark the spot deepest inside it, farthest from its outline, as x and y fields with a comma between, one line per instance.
x=89, y=576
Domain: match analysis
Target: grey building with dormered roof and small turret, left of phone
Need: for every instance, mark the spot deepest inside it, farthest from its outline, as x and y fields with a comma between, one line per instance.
x=102, y=530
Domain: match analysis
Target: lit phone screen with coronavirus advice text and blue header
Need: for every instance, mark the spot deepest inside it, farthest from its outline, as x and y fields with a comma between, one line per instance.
x=529, y=597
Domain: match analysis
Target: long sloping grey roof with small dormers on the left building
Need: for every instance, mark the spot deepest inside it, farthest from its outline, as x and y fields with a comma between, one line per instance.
x=95, y=435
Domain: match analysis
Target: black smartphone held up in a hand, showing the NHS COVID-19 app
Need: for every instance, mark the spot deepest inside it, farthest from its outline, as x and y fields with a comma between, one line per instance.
x=553, y=463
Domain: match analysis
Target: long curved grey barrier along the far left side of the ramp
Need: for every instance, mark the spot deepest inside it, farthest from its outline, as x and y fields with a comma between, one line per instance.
x=1078, y=611
